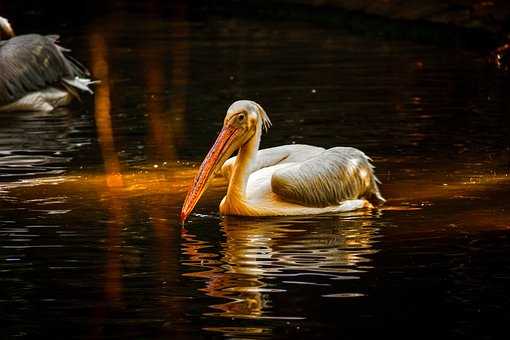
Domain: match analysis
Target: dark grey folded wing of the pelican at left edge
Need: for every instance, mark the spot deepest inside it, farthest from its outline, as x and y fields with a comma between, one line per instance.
x=33, y=62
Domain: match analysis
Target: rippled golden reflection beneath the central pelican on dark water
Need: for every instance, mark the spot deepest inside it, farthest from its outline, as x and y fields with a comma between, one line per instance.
x=262, y=257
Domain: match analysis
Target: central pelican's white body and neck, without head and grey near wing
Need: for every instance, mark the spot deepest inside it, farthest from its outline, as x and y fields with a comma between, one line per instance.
x=250, y=173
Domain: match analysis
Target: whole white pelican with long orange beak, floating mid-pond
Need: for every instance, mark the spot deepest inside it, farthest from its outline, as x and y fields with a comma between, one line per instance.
x=284, y=180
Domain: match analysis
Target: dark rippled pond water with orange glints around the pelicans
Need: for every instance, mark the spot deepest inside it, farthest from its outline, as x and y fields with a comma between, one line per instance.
x=90, y=244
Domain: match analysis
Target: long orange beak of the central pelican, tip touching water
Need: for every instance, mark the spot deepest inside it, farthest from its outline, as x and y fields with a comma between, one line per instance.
x=207, y=169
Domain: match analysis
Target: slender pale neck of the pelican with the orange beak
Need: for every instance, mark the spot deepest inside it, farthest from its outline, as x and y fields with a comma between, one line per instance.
x=243, y=167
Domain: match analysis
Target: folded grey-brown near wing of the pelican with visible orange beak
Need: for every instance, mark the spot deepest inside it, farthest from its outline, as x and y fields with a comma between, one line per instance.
x=333, y=176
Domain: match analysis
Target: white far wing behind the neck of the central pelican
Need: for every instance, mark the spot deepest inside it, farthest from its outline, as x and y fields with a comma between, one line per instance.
x=277, y=155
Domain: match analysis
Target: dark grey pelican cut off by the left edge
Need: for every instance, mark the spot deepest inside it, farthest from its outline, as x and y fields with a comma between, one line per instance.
x=34, y=73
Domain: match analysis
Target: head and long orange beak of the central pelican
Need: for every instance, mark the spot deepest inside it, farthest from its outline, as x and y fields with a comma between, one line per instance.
x=243, y=121
